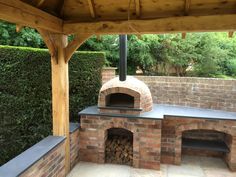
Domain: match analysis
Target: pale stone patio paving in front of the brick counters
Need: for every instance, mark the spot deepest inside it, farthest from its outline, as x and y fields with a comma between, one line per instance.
x=191, y=167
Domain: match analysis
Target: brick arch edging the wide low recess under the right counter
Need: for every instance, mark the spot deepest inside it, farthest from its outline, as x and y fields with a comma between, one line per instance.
x=197, y=126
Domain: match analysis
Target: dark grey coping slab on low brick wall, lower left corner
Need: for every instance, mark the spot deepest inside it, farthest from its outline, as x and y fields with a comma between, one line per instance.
x=26, y=159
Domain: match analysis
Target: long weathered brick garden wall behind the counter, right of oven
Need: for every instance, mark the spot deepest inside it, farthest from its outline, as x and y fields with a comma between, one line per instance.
x=196, y=92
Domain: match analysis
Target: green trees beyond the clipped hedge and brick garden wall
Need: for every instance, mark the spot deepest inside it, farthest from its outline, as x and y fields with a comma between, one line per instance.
x=199, y=54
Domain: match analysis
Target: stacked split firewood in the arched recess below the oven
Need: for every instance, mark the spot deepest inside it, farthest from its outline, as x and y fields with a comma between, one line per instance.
x=119, y=150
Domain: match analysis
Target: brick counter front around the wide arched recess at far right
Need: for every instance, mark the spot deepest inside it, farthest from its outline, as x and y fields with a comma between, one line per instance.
x=173, y=129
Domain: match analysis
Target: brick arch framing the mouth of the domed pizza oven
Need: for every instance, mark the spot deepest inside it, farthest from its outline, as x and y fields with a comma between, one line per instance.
x=124, y=90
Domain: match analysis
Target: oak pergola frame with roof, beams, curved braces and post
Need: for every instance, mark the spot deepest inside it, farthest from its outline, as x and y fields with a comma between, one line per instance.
x=56, y=19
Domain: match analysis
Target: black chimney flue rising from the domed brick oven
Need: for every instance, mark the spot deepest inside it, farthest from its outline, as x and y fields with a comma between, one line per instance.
x=123, y=57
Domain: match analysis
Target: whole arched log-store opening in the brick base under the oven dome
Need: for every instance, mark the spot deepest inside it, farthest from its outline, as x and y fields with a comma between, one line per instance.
x=119, y=146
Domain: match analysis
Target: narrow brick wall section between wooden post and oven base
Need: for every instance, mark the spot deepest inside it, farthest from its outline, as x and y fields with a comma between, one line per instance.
x=74, y=148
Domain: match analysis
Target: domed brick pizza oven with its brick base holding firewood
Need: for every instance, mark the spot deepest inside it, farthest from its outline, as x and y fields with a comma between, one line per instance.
x=118, y=131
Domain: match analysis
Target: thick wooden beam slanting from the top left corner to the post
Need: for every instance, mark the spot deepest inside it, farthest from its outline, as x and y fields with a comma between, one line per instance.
x=19, y=12
